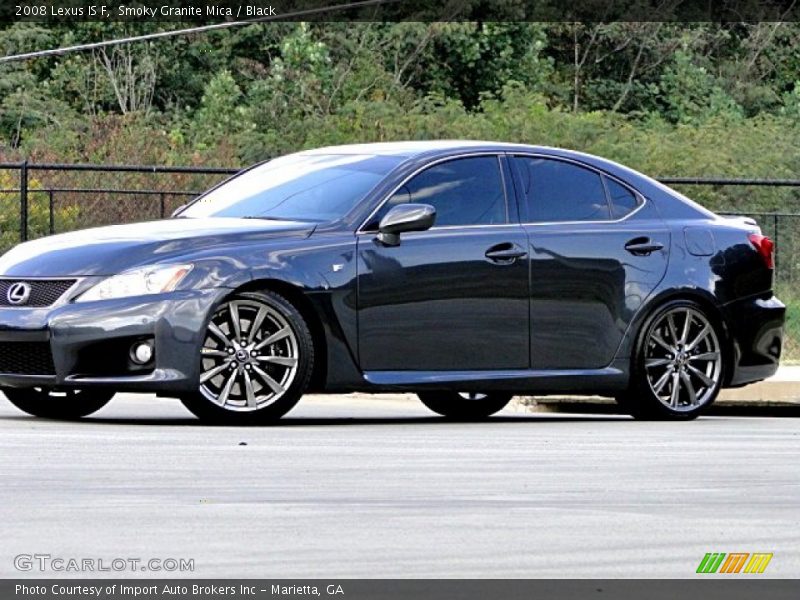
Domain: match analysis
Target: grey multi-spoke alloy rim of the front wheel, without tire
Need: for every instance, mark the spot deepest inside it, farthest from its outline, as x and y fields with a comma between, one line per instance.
x=249, y=357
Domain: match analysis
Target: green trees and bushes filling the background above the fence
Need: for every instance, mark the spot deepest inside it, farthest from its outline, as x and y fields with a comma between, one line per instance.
x=667, y=98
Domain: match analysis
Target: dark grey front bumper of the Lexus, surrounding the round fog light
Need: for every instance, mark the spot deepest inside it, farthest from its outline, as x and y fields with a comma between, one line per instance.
x=89, y=342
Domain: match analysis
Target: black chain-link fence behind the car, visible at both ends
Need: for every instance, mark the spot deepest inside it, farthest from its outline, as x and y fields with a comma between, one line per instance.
x=40, y=199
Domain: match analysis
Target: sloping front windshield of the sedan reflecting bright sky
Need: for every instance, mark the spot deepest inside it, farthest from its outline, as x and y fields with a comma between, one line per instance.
x=297, y=187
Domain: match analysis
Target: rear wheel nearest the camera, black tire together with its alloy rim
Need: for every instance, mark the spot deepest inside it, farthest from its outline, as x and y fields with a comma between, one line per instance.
x=698, y=378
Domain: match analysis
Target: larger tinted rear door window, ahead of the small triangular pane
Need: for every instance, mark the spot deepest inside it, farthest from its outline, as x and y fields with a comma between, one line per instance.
x=559, y=191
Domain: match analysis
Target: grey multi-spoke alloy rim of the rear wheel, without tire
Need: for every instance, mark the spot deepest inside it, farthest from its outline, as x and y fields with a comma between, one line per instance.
x=683, y=359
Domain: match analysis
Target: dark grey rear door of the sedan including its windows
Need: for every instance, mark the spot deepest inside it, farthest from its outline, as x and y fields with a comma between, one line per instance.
x=597, y=250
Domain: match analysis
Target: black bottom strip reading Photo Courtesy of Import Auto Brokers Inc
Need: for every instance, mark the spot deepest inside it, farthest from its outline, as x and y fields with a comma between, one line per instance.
x=706, y=588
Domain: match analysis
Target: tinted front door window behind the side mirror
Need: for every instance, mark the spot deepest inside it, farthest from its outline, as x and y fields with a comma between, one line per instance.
x=465, y=191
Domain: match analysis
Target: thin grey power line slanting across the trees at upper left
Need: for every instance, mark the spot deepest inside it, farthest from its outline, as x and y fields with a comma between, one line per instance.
x=199, y=29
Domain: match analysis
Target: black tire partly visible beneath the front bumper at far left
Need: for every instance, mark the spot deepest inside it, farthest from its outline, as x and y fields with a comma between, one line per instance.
x=67, y=405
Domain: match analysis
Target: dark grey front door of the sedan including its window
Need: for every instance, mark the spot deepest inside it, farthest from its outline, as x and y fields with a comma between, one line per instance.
x=455, y=297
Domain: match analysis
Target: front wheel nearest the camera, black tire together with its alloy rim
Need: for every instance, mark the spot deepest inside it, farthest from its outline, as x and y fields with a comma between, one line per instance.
x=241, y=405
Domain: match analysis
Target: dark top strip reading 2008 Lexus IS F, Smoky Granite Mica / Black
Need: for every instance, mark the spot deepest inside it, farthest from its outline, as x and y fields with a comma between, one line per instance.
x=205, y=12
